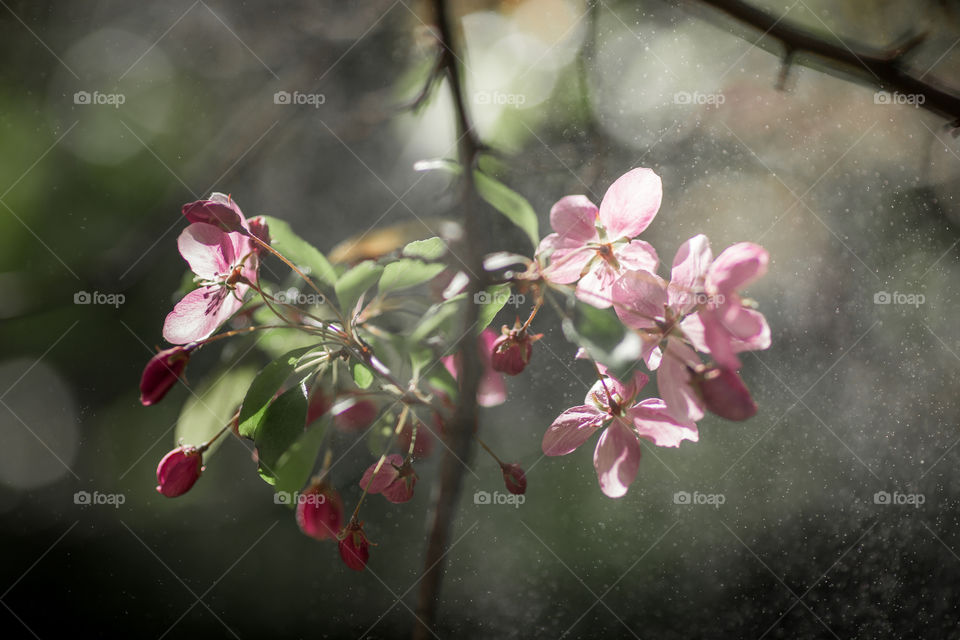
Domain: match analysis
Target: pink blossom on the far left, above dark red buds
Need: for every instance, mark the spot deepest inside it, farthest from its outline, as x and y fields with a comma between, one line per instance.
x=225, y=262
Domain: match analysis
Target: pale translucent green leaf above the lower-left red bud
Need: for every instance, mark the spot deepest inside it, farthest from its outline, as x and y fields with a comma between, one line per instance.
x=205, y=413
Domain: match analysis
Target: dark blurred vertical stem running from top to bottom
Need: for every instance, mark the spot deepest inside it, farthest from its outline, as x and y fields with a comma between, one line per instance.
x=459, y=435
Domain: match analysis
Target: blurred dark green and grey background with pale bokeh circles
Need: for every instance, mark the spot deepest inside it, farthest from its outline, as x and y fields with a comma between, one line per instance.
x=832, y=513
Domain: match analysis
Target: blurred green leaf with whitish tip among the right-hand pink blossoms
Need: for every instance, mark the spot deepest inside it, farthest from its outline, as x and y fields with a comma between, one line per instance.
x=604, y=337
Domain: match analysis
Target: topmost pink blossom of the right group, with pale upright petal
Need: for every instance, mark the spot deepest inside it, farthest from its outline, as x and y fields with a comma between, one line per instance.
x=594, y=246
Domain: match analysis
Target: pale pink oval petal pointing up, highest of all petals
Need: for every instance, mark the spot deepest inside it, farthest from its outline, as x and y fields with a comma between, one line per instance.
x=631, y=203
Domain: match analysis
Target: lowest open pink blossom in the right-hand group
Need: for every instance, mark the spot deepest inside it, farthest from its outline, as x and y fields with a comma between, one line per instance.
x=617, y=455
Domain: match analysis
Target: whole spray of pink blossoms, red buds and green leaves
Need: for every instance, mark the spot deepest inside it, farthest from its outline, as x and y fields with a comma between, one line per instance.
x=345, y=362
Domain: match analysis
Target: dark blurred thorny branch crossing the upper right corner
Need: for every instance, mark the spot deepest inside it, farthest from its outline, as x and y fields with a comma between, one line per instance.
x=884, y=69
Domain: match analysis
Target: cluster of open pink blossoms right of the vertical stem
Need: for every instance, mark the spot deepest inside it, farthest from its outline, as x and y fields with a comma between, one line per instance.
x=698, y=310
